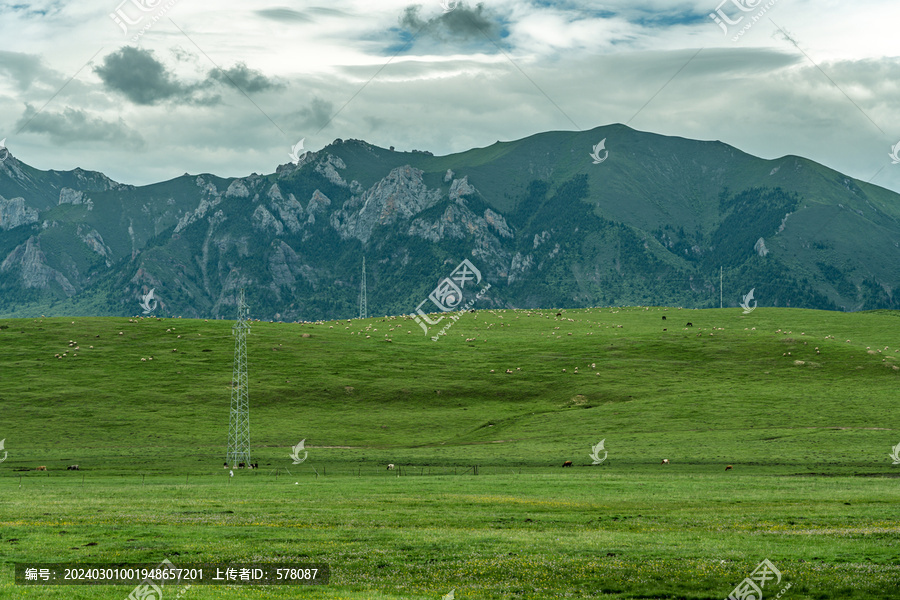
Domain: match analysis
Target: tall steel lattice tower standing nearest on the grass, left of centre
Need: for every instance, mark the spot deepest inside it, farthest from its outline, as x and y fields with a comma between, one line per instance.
x=239, y=421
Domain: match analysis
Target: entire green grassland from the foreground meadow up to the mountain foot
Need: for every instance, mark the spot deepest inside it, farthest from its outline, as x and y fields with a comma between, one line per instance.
x=803, y=404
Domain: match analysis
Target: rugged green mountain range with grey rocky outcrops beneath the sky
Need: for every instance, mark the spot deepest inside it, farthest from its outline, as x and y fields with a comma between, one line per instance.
x=607, y=217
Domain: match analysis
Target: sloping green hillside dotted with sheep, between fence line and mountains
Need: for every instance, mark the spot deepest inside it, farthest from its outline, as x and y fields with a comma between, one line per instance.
x=744, y=377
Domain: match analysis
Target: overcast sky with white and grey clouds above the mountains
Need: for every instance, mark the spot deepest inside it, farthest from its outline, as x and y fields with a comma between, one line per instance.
x=146, y=90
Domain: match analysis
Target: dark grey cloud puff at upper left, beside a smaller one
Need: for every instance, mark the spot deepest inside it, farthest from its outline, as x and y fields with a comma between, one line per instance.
x=141, y=78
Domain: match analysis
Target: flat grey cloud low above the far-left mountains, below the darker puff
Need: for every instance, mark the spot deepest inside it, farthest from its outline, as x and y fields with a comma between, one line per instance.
x=74, y=126
